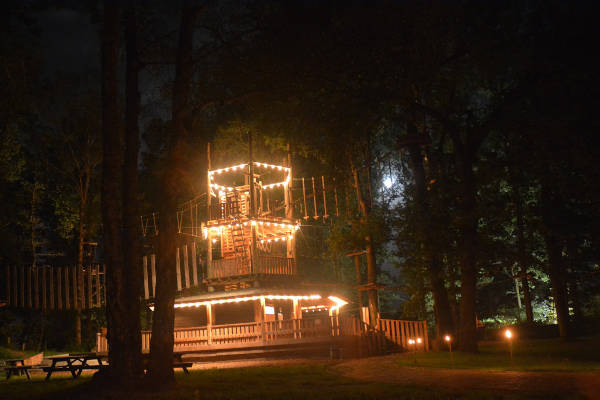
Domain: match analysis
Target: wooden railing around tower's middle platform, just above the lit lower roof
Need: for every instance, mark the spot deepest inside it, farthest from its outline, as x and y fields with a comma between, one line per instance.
x=269, y=265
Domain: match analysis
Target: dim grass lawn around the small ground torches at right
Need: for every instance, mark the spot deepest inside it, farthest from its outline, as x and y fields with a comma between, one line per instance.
x=528, y=355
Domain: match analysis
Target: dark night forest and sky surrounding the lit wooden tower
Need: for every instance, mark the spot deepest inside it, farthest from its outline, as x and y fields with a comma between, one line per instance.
x=466, y=127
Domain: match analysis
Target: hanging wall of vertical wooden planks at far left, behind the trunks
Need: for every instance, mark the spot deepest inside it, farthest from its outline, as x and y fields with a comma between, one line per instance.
x=54, y=288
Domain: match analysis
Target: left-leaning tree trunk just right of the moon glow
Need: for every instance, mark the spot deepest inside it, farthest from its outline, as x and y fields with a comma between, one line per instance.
x=442, y=312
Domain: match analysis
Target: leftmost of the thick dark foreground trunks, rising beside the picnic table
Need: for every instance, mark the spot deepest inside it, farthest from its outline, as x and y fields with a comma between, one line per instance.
x=122, y=319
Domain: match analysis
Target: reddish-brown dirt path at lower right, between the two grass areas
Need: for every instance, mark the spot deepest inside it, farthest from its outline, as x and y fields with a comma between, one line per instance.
x=386, y=369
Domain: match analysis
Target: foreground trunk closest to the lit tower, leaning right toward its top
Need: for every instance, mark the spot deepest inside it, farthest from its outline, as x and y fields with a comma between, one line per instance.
x=161, y=344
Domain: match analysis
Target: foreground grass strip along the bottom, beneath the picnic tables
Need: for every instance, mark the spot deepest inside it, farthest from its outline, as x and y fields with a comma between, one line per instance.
x=312, y=382
